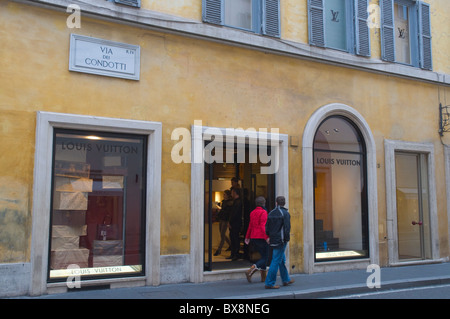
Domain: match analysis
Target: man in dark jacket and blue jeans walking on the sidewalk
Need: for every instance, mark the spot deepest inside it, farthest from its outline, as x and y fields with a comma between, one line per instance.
x=278, y=228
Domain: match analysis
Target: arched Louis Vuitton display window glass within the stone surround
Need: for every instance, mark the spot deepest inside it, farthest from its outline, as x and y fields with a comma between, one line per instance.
x=341, y=228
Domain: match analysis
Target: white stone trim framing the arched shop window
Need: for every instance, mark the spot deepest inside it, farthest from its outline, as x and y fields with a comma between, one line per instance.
x=308, y=185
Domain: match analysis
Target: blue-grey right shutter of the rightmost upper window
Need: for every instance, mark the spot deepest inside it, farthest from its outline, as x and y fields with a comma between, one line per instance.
x=425, y=36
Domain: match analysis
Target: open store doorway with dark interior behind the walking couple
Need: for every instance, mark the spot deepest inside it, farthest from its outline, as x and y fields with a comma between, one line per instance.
x=246, y=180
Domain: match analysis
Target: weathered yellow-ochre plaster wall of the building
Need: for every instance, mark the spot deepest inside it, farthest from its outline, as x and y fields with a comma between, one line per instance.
x=184, y=79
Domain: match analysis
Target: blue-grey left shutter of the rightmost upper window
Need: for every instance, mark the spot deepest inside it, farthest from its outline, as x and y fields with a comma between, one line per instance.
x=387, y=30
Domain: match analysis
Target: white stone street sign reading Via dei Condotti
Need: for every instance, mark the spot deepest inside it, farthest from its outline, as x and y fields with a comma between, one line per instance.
x=102, y=57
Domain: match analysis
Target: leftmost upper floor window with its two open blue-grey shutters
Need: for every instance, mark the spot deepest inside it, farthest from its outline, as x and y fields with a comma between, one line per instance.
x=259, y=16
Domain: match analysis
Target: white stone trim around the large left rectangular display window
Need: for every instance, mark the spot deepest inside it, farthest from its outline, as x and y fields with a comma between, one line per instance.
x=46, y=122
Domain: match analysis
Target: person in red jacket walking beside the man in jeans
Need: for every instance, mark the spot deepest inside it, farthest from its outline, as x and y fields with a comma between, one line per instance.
x=257, y=237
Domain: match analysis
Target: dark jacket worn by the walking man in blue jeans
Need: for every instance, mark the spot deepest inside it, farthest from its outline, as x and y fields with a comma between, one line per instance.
x=278, y=226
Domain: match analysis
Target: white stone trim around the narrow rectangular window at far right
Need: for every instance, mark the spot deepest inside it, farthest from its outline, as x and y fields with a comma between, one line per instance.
x=390, y=147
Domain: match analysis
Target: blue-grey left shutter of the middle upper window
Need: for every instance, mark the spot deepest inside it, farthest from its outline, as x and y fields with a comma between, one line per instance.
x=316, y=22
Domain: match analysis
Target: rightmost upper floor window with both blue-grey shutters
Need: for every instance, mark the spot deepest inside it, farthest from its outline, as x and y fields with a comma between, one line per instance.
x=406, y=32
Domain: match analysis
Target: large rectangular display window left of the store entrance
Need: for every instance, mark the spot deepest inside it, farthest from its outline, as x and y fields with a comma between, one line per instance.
x=97, y=226
